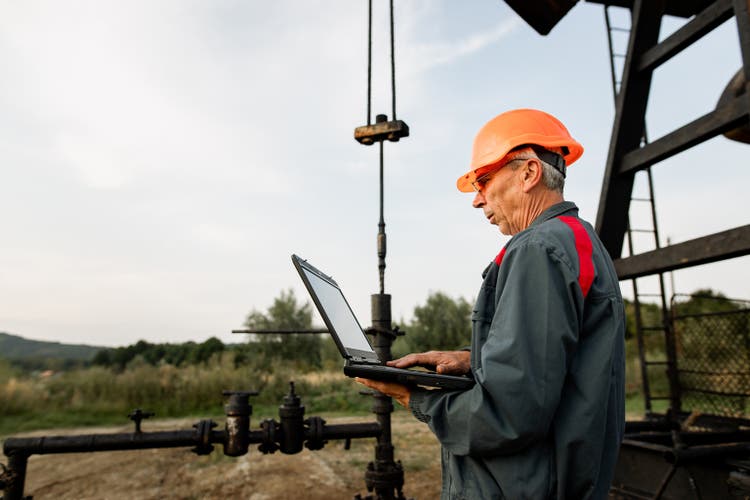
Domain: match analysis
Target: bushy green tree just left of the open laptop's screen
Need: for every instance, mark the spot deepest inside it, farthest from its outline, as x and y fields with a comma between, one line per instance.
x=285, y=314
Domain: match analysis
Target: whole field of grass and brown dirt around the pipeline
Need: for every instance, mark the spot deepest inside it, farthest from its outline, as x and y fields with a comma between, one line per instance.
x=96, y=400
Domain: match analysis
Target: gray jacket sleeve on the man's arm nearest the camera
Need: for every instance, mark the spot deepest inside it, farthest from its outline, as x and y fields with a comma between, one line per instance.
x=523, y=352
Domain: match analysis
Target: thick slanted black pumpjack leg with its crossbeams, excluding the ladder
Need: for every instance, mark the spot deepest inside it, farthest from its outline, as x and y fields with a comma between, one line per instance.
x=627, y=155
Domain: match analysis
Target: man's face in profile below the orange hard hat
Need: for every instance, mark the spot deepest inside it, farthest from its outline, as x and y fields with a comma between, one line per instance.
x=499, y=198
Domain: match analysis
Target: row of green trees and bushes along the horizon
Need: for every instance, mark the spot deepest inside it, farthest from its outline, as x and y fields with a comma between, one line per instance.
x=440, y=323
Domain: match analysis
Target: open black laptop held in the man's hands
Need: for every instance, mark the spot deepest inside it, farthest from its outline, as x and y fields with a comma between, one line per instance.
x=351, y=340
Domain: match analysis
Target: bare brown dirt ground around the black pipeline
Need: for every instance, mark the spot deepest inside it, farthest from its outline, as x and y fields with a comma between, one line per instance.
x=327, y=474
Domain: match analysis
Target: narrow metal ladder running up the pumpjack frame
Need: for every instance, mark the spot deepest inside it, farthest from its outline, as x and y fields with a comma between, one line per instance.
x=642, y=330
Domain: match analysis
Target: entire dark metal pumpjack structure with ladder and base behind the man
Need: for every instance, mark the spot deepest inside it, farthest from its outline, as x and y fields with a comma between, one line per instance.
x=677, y=454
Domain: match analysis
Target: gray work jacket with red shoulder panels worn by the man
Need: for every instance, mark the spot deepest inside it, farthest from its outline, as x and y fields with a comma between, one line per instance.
x=546, y=416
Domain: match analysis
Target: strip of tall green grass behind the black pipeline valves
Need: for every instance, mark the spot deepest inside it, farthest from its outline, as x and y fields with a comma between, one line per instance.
x=99, y=395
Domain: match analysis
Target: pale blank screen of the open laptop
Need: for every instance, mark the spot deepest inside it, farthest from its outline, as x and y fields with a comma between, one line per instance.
x=339, y=313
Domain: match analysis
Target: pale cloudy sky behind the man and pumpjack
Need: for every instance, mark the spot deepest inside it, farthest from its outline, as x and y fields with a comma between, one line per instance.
x=161, y=160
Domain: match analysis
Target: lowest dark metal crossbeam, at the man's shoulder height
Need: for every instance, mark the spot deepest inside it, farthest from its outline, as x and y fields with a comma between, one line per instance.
x=720, y=246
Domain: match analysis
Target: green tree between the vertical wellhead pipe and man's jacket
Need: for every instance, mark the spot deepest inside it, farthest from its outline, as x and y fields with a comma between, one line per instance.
x=442, y=323
